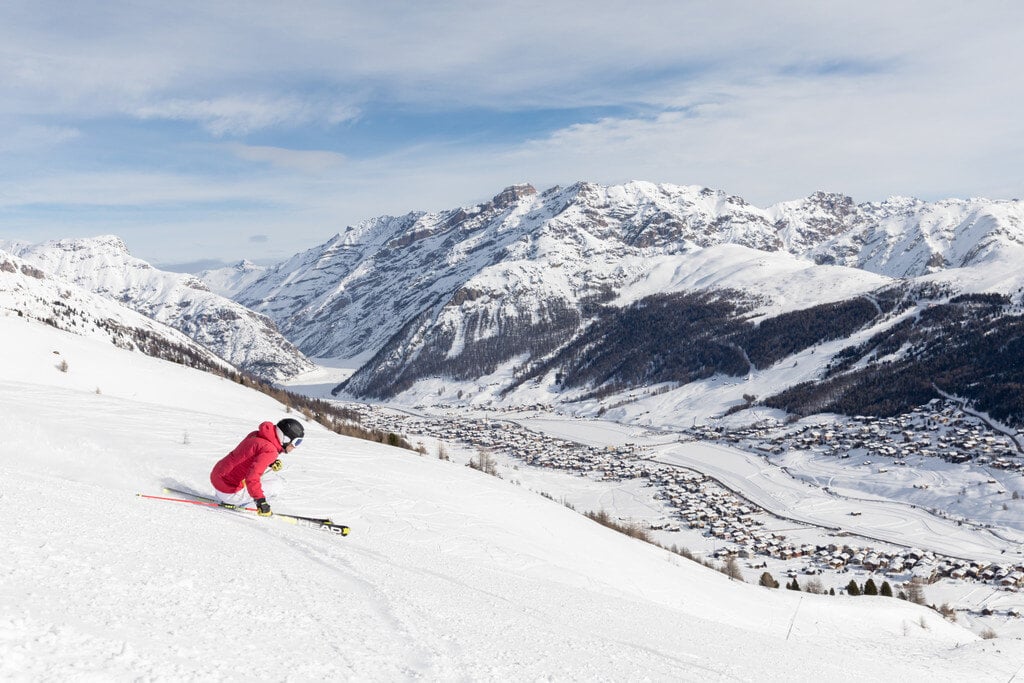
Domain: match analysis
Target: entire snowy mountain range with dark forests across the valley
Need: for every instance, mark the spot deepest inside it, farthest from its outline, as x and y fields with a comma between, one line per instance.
x=622, y=301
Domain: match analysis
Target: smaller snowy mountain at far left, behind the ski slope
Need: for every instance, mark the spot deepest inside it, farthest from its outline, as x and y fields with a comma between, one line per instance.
x=248, y=340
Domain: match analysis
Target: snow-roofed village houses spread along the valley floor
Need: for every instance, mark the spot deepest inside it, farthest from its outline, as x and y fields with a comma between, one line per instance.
x=700, y=503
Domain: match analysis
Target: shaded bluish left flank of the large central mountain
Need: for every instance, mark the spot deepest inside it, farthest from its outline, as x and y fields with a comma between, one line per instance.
x=351, y=295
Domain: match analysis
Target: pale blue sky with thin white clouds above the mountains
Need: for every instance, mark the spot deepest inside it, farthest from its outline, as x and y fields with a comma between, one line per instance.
x=220, y=131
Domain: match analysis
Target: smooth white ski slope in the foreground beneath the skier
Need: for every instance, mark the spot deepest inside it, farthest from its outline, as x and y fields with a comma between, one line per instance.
x=448, y=574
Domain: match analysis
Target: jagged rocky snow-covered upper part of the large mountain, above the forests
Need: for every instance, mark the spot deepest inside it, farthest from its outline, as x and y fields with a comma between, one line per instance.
x=349, y=296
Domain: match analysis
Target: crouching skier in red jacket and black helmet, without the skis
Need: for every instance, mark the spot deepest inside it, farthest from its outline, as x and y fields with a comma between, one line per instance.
x=237, y=478
